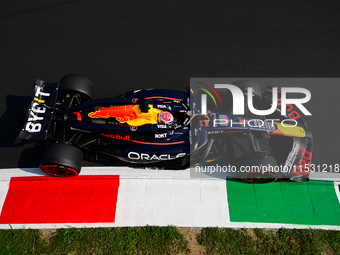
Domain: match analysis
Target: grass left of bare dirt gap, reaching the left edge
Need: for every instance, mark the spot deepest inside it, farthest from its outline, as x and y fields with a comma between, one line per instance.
x=137, y=240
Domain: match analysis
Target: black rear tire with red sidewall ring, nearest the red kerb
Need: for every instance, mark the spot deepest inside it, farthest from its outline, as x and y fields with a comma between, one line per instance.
x=61, y=160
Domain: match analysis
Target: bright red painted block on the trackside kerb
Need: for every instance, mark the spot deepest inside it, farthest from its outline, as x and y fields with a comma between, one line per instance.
x=81, y=199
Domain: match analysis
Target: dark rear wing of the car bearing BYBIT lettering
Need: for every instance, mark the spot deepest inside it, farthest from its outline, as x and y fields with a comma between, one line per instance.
x=40, y=113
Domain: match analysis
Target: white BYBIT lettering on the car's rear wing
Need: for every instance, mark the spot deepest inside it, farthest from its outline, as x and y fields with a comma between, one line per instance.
x=36, y=108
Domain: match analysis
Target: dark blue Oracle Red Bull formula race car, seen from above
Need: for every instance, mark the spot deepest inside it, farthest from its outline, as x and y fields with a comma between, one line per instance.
x=160, y=127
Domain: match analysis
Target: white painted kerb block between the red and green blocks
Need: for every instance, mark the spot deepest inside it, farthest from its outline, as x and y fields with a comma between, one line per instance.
x=179, y=202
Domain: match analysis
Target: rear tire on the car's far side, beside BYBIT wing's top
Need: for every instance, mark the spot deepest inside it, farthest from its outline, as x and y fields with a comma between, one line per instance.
x=74, y=83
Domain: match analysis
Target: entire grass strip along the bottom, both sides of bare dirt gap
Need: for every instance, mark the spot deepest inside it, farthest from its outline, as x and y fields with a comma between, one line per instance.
x=168, y=240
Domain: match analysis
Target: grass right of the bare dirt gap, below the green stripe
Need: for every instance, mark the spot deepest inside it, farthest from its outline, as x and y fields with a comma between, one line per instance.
x=259, y=241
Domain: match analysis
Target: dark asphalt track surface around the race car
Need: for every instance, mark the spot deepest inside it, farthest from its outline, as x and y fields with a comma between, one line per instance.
x=123, y=46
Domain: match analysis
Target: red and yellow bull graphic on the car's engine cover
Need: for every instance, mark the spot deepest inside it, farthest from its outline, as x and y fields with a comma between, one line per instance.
x=130, y=114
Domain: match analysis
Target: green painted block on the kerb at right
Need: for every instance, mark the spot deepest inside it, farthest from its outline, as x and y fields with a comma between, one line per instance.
x=309, y=203
